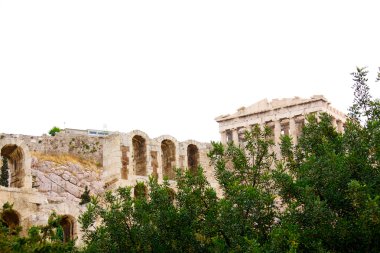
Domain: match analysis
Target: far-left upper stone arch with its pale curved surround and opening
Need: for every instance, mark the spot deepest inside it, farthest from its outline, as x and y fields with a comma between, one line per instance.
x=19, y=161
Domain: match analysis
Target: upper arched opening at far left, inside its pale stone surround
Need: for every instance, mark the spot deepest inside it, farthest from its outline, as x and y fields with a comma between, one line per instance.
x=14, y=158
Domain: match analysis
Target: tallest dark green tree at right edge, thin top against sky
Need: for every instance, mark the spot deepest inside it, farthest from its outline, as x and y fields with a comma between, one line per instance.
x=330, y=182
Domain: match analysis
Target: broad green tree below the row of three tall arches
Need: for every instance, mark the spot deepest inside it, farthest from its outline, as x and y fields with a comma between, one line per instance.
x=163, y=222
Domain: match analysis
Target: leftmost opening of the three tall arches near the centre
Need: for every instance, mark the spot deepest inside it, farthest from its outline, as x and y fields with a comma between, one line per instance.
x=139, y=155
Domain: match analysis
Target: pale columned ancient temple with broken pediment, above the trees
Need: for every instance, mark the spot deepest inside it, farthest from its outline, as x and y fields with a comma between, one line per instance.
x=284, y=116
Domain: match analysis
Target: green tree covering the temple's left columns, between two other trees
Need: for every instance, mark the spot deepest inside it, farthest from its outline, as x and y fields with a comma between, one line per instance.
x=247, y=209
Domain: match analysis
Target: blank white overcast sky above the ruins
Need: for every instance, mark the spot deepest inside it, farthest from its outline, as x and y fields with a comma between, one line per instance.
x=171, y=67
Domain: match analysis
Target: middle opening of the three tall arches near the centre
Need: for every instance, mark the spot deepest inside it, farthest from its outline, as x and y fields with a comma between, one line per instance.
x=168, y=159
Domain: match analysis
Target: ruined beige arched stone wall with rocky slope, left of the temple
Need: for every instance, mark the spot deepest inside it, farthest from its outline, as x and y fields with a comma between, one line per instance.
x=49, y=173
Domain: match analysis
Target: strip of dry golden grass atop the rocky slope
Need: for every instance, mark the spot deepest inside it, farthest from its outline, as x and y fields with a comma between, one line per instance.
x=64, y=159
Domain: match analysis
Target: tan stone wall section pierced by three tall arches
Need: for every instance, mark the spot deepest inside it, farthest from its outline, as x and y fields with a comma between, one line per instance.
x=141, y=156
